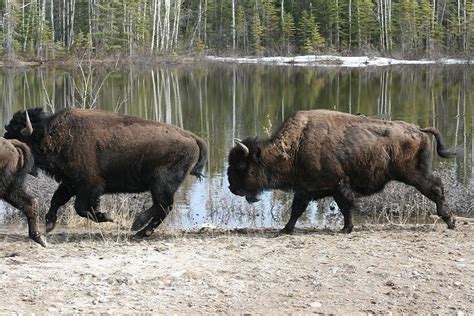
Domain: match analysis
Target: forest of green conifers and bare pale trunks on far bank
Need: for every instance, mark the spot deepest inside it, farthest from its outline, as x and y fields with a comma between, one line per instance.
x=46, y=30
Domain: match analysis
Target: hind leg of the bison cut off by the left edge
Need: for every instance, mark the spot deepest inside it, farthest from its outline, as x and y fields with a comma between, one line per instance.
x=27, y=204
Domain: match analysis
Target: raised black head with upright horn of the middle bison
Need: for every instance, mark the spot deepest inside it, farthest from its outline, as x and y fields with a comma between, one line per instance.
x=23, y=124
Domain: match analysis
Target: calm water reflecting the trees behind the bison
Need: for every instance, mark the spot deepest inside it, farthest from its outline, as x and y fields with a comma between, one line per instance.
x=220, y=102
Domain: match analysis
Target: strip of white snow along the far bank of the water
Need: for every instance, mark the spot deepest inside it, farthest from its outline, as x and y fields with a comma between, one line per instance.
x=336, y=61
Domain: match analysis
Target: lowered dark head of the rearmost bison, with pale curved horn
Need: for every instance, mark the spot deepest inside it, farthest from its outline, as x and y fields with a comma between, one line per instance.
x=246, y=171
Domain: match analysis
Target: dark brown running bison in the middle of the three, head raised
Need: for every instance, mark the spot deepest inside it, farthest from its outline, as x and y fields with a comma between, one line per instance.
x=92, y=152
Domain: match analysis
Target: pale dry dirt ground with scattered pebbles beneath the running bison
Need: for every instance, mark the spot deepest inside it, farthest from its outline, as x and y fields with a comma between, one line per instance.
x=376, y=269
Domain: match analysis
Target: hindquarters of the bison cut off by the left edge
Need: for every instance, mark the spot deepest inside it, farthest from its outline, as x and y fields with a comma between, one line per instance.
x=16, y=161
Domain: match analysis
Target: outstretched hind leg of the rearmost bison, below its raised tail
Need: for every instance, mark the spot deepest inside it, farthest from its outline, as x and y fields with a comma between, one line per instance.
x=432, y=187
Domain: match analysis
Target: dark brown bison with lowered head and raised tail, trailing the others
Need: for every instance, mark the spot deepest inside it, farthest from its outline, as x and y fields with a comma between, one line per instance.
x=326, y=153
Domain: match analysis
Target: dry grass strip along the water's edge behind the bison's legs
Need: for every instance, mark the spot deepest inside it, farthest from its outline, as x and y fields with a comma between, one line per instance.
x=398, y=204
